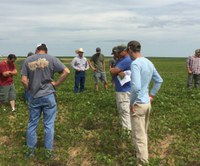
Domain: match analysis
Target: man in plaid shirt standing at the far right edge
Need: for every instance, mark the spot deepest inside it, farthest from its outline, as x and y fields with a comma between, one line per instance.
x=193, y=68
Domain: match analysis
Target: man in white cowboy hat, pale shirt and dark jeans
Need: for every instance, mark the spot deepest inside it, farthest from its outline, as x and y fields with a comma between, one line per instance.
x=80, y=65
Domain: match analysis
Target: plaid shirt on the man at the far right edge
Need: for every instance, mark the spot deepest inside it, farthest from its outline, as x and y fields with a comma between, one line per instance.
x=193, y=63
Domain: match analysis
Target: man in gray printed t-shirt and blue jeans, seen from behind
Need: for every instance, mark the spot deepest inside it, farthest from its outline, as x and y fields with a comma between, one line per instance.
x=38, y=78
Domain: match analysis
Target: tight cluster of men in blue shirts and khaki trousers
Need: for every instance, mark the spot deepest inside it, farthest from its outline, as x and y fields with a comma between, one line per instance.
x=132, y=95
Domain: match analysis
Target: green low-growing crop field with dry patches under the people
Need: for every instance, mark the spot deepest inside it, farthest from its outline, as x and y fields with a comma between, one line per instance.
x=88, y=130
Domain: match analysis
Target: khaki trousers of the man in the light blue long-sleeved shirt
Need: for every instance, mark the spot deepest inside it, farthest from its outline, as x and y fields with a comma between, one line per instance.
x=139, y=124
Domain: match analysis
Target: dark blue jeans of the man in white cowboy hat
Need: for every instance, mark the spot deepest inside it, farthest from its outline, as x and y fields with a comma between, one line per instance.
x=79, y=79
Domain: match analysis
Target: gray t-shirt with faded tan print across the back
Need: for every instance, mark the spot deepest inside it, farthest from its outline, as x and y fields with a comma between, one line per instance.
x=40, y=69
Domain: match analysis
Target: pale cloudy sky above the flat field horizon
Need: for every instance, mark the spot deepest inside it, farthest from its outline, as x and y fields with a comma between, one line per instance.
x=164, y=27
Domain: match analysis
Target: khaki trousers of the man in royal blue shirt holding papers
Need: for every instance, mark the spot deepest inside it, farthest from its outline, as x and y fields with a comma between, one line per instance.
x=123, y=107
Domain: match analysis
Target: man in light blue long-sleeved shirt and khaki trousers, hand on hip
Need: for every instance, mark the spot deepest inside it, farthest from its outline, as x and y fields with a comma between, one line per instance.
x=142, y=72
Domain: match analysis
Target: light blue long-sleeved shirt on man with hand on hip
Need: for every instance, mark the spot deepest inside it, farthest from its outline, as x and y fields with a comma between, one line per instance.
x=142, y=72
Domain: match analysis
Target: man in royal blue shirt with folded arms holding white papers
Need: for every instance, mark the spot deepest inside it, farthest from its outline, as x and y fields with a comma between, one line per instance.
x=122, y=91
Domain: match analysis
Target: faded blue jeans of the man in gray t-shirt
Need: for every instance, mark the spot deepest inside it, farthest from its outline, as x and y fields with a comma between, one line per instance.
x=46, y=105
